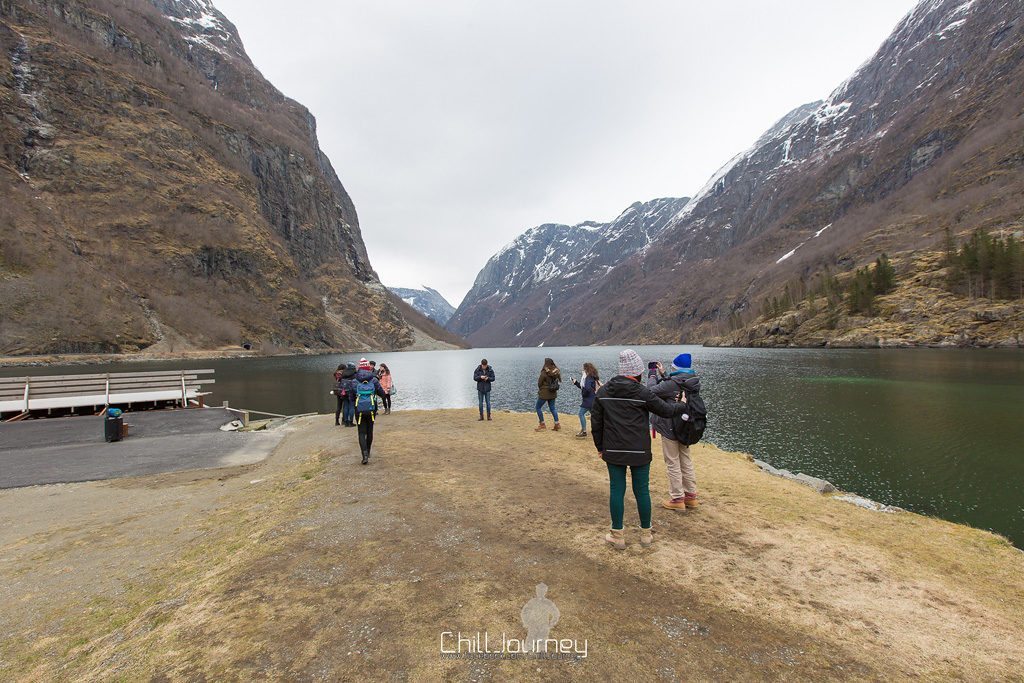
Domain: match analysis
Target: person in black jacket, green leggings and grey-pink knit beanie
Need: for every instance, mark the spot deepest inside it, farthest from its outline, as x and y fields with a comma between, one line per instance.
x=620, y=425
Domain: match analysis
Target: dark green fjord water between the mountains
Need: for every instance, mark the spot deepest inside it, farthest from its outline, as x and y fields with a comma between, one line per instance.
x=936, y=432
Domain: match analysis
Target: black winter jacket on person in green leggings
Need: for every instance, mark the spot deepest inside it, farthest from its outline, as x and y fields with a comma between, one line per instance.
x=621, y=421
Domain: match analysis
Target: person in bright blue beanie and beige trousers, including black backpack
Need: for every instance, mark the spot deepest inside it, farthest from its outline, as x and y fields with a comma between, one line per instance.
x=680, y=385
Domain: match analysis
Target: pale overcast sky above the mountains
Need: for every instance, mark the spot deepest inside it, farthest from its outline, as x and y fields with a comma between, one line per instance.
x=458, y=124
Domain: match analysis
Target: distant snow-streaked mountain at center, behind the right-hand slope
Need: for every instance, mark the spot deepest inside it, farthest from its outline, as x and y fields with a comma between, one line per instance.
x=521, y=294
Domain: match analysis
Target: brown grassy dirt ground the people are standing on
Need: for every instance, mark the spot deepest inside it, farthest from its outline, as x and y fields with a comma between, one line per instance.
x=311, y=567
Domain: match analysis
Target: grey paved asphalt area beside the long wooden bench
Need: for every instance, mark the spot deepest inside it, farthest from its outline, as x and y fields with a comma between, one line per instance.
x=66, y=450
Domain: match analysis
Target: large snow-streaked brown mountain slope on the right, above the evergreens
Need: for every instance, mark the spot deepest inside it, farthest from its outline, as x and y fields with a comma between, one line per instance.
x=927, y=135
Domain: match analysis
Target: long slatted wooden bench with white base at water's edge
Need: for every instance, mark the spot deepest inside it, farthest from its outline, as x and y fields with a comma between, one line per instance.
x=21, y=397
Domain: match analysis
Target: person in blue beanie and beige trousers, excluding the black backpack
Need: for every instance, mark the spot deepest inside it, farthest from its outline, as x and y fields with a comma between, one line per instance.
x=680, y=381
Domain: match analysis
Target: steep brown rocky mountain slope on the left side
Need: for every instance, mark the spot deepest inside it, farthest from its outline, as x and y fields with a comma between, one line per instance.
x=157, y=192
